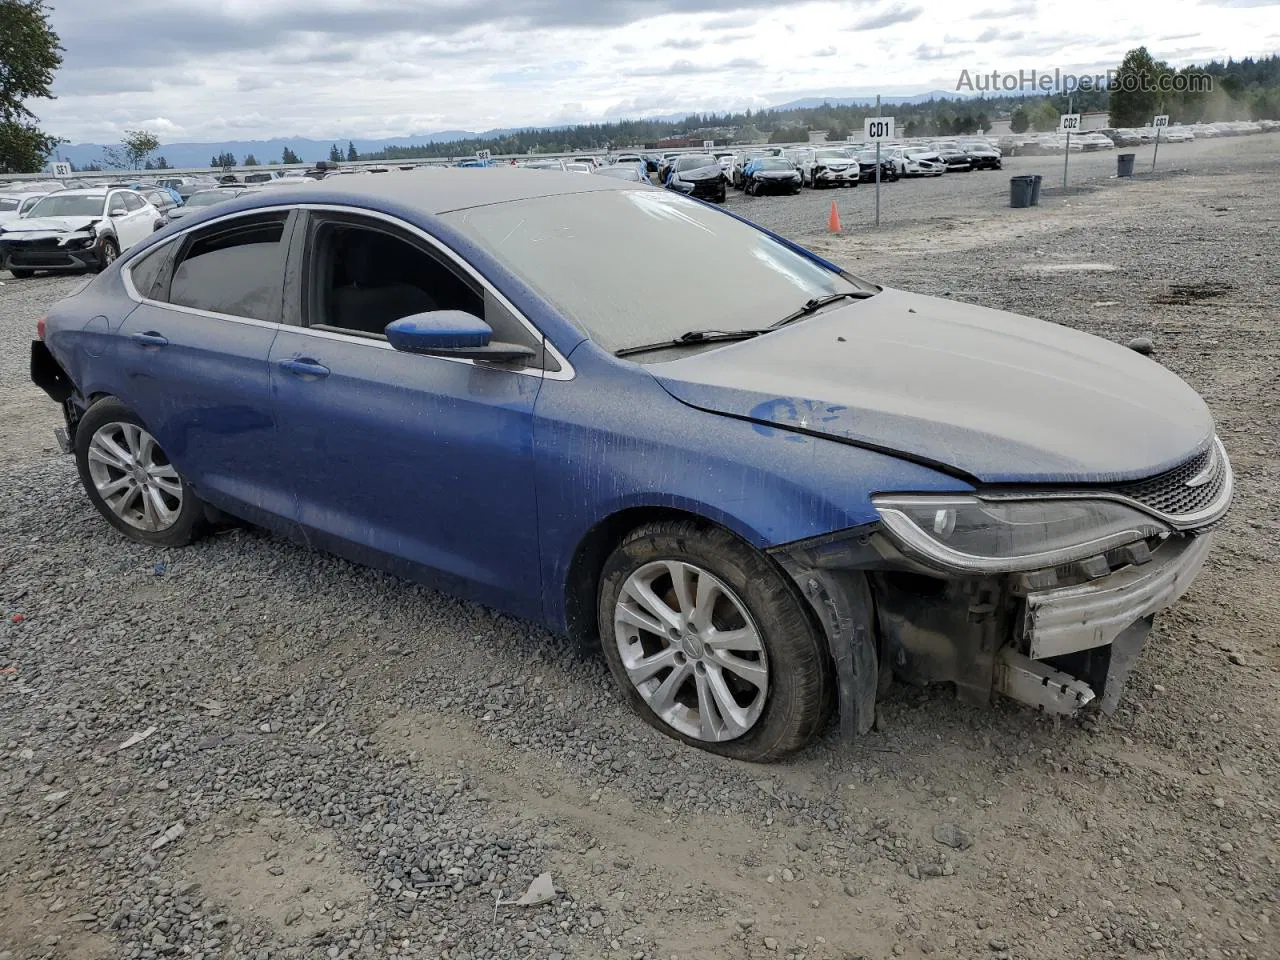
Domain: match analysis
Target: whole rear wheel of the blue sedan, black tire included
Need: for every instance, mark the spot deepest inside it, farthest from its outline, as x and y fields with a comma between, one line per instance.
x=111, y=420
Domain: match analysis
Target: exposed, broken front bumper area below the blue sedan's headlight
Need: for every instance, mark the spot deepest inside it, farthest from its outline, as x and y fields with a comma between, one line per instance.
x=1055, y=639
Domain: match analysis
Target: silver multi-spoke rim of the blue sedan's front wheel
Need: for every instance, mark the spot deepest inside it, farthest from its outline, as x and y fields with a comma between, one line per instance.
x=692, y=651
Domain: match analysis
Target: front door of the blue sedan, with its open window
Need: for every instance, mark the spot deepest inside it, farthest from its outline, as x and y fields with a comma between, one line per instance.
x=419, y=464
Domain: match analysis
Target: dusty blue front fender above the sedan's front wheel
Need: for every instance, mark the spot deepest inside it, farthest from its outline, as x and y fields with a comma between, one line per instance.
x=612, y=441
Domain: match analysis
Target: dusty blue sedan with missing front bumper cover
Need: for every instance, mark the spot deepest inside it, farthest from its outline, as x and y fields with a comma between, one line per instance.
x=761, y=484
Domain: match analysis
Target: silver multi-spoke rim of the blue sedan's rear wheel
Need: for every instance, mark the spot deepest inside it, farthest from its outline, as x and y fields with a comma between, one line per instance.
x=135, y=478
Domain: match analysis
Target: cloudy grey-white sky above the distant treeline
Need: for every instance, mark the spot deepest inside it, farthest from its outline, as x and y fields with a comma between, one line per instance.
x=244, y=70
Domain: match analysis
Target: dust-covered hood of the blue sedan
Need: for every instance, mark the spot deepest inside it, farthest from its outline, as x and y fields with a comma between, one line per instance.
x=1002, y=397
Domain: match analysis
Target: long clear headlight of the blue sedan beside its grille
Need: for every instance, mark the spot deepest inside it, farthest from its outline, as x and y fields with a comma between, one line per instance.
x=980, y=536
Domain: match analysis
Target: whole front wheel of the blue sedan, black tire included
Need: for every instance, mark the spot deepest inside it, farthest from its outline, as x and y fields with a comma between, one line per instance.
x=752, y=600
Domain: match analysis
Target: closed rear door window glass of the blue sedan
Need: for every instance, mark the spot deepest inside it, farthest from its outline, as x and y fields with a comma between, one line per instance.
x=235, y=268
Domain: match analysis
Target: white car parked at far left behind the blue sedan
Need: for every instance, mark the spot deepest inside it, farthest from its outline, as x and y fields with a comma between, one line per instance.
x=77, y=230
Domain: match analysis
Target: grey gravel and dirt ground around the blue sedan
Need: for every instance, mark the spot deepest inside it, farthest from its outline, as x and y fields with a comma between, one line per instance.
x=244, y=749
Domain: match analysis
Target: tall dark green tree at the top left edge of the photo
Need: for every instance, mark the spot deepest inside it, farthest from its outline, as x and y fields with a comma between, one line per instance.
x=30, y=54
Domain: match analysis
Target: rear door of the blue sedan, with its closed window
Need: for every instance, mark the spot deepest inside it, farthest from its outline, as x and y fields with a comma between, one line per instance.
x=194, y=359
